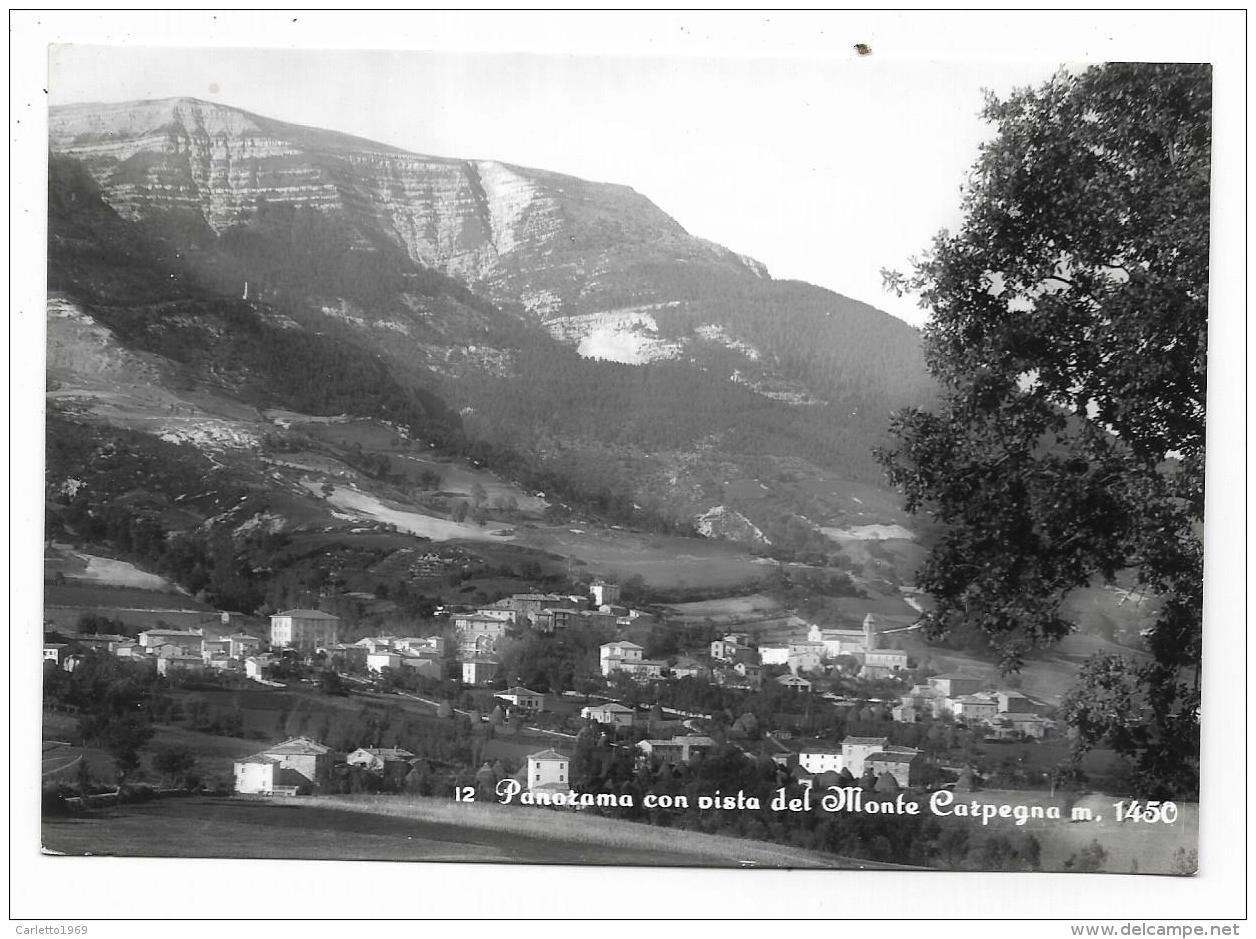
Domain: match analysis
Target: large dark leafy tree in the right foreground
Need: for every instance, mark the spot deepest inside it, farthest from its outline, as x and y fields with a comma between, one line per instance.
x=1069, y=335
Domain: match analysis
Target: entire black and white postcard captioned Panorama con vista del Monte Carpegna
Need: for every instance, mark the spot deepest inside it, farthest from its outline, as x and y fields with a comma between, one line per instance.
x=660, y=461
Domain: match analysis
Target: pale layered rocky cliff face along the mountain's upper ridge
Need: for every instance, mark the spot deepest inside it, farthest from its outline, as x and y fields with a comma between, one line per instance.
x=556, y=243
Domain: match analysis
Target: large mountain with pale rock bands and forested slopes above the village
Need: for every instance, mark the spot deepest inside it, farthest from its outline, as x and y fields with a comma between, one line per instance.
x=567, y=335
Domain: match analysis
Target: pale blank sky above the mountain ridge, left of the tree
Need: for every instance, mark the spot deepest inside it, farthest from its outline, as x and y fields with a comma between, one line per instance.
x=826, y=170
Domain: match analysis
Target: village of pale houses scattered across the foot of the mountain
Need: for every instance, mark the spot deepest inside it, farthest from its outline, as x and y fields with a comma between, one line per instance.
x=831, y=706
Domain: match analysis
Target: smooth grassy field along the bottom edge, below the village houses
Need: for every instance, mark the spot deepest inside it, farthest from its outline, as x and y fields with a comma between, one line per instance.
x=371, y=828
